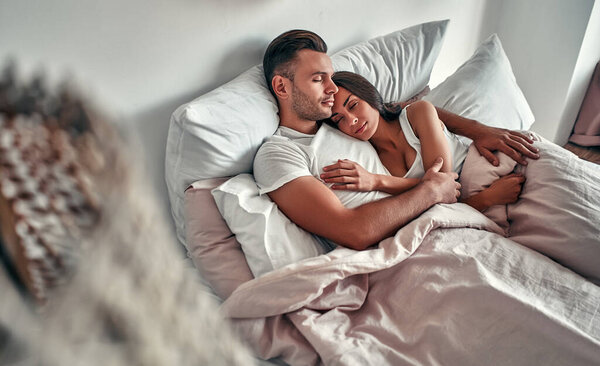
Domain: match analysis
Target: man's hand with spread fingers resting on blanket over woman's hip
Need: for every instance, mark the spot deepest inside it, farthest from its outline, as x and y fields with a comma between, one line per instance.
x=514, y=144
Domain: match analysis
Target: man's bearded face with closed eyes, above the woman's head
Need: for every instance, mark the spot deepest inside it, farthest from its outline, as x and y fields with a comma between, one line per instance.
x=312, y=88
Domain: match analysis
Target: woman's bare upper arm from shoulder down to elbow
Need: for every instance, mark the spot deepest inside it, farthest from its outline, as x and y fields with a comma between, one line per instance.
x=424, y=120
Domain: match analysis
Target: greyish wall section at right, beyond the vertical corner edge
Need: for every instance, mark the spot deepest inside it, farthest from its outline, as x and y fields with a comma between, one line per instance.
x=542, y=39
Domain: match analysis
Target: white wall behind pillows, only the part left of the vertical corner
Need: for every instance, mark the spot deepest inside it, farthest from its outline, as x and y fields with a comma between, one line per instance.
x=140, y=59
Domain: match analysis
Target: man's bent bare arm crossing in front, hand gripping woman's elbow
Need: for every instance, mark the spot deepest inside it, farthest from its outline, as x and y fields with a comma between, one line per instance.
x=314, y=207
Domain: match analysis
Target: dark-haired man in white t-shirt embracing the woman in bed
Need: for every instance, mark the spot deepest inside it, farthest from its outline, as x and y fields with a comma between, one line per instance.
x=298, y=73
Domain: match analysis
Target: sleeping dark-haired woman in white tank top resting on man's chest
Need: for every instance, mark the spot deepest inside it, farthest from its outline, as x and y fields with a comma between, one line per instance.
x=408, y=141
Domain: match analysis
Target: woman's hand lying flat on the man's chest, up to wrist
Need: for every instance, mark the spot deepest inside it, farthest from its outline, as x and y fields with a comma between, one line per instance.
x=349, y=175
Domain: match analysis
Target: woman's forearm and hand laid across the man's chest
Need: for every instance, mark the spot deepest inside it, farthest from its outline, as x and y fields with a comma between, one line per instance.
x=351, y=176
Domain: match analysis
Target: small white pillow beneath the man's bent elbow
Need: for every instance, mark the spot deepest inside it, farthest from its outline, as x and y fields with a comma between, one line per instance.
x=268, y=238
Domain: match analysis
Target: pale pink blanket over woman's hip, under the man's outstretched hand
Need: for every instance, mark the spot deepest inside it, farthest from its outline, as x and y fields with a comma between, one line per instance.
x=558, y=211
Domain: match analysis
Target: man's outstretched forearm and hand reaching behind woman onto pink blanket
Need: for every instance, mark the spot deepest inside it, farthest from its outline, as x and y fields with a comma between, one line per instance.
x=488, y=139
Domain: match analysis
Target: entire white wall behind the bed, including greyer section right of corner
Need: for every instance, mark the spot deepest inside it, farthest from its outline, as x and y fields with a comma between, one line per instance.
x=140, y=59
